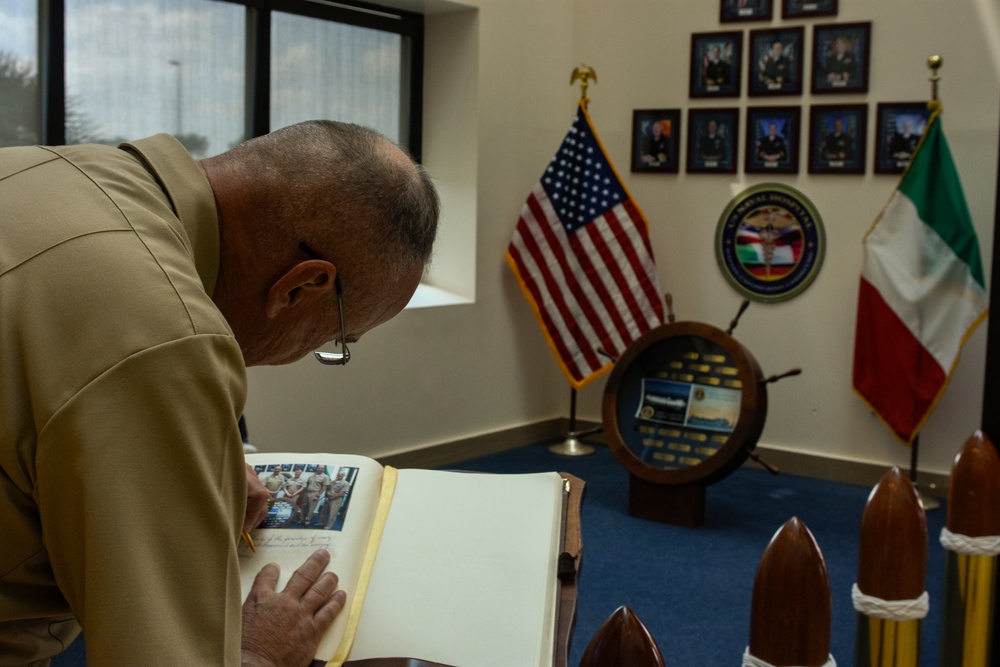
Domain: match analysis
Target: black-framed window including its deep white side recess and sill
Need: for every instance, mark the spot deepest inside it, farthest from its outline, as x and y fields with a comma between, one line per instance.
x=214, y=72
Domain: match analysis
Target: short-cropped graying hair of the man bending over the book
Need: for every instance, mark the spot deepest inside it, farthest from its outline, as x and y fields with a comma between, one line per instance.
x=341, y=188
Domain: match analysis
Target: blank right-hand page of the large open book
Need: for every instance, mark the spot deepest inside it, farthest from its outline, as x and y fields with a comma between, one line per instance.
x=466, y=571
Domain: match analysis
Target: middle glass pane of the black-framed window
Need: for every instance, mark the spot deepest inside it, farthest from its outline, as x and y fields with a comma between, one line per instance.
x=173, y=66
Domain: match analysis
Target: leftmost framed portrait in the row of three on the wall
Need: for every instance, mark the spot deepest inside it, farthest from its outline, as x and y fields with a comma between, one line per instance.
x=716, y=64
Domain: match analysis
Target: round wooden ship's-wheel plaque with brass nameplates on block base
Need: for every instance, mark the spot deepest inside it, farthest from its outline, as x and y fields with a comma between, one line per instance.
x=681, y=354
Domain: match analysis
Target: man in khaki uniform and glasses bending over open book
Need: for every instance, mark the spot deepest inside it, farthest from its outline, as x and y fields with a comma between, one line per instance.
x=136, y=284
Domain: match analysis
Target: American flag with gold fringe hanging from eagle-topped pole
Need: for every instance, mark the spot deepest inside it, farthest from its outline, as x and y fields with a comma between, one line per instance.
x=582, y=256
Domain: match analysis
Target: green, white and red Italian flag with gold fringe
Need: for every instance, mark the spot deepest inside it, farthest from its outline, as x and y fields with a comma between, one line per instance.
x=922, y=290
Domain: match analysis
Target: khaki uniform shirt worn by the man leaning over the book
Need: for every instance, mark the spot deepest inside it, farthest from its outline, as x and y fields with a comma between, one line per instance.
x=122, y=480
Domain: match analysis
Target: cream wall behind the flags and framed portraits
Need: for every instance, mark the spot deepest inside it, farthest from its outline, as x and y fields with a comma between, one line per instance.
x=499, y=103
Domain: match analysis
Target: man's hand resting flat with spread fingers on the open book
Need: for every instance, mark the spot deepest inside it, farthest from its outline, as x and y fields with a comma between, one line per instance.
x=283, y=629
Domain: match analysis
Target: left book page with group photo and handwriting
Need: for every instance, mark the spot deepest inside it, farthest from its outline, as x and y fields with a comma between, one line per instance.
x=289, y=546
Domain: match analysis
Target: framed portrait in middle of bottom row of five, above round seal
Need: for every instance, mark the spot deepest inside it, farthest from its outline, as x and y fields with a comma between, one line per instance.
x=772, y=140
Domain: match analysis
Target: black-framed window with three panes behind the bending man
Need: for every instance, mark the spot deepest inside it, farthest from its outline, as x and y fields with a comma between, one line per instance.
x=210, y=72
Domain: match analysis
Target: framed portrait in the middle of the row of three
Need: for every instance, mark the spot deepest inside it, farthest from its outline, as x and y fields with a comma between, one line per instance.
x=774, y=64
